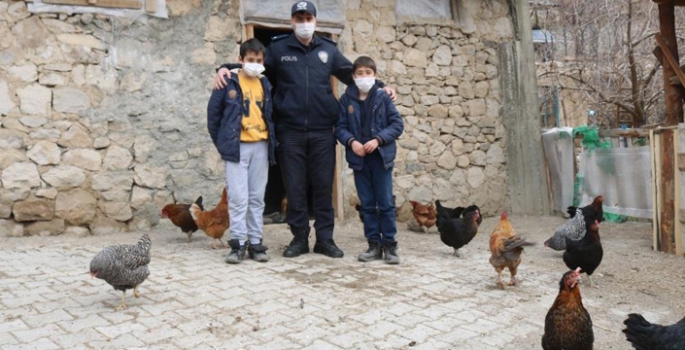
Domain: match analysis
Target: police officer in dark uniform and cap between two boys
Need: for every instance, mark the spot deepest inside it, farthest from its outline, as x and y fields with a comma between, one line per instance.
x=300, y=65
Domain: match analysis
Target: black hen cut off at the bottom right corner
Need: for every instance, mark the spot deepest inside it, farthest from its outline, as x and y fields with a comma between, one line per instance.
x=648, y=336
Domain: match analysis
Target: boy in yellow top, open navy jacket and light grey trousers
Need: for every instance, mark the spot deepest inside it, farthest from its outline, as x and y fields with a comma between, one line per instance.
x=239, y=122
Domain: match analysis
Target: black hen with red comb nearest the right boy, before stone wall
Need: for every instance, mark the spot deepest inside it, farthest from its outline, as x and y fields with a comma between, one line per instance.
x=456, y=232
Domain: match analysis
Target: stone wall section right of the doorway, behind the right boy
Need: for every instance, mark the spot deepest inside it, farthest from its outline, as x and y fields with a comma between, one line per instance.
x=447, y=80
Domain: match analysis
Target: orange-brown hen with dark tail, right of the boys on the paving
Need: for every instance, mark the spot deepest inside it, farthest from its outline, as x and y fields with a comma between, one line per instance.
x=506, y=248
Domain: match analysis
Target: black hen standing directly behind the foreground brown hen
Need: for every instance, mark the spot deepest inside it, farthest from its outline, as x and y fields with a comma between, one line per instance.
x=586, y=253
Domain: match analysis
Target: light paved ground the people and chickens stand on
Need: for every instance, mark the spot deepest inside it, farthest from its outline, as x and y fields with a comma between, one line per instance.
x=433, y=300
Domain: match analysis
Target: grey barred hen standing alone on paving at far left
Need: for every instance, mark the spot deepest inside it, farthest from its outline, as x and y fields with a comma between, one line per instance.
x=123, y=266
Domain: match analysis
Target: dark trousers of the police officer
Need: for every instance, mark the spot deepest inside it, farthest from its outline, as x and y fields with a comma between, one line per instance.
x=308, y=157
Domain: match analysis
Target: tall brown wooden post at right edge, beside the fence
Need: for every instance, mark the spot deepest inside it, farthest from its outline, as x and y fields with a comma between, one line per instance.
x=674, y=115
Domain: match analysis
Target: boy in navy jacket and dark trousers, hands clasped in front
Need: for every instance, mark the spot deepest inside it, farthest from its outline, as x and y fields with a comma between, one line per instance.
x=368, y=126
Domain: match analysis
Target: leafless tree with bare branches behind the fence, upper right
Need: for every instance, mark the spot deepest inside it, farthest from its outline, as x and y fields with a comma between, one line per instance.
x=613, y=63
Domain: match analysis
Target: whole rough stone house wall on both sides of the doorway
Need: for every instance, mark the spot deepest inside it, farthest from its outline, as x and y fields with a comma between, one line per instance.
x=102, y=120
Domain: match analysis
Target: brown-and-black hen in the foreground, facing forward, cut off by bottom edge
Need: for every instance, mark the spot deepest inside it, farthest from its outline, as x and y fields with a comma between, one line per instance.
x=568, y=325
